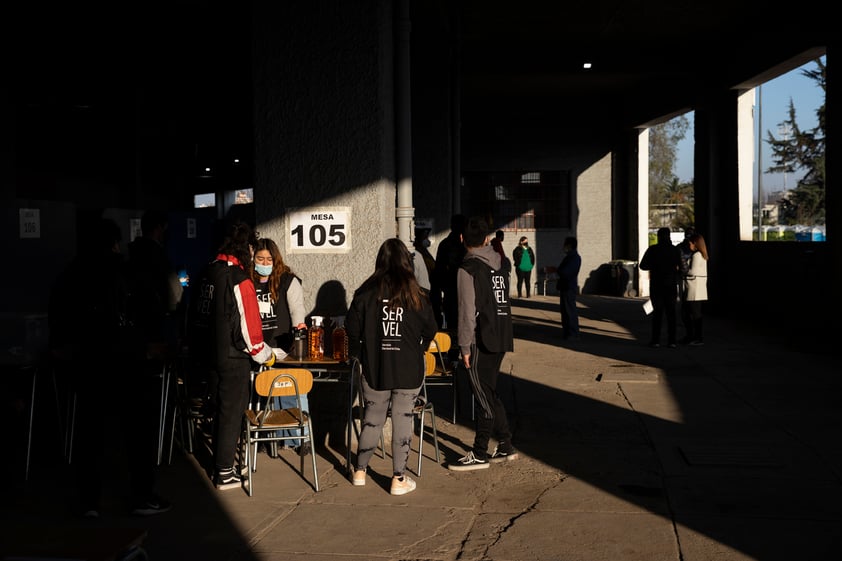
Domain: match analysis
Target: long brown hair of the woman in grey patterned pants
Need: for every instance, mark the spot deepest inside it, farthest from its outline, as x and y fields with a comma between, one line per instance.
x=394, y=276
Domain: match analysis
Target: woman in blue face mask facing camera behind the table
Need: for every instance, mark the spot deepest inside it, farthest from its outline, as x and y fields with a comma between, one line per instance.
x=281, y=300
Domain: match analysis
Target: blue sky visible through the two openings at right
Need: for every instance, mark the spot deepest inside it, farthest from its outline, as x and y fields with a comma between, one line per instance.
x=807, y=97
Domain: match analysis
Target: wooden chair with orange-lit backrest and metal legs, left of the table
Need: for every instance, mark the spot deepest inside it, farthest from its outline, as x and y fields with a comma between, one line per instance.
x=264, y=425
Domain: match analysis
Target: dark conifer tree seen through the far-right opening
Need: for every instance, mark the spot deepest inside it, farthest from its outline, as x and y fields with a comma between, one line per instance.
x=802, y=150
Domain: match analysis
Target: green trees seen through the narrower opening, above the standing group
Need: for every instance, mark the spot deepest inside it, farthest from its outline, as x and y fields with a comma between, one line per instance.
x=671, y=203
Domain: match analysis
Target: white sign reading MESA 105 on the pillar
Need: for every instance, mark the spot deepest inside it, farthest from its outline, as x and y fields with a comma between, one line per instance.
x=320, y=231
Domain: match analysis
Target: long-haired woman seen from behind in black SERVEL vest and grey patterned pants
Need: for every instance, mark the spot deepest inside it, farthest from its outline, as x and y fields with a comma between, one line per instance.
x=390, y=325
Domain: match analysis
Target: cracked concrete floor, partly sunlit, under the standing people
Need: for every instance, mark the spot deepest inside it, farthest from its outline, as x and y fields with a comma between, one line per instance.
x=728, y=451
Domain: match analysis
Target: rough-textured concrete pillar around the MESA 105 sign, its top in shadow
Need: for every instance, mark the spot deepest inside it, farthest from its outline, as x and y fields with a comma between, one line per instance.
x=324, y=136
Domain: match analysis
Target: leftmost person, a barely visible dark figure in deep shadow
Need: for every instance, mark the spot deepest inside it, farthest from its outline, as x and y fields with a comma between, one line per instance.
x=92, y=332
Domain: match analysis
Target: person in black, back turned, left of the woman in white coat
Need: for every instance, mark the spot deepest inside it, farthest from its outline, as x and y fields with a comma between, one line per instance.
x=663, y=261
